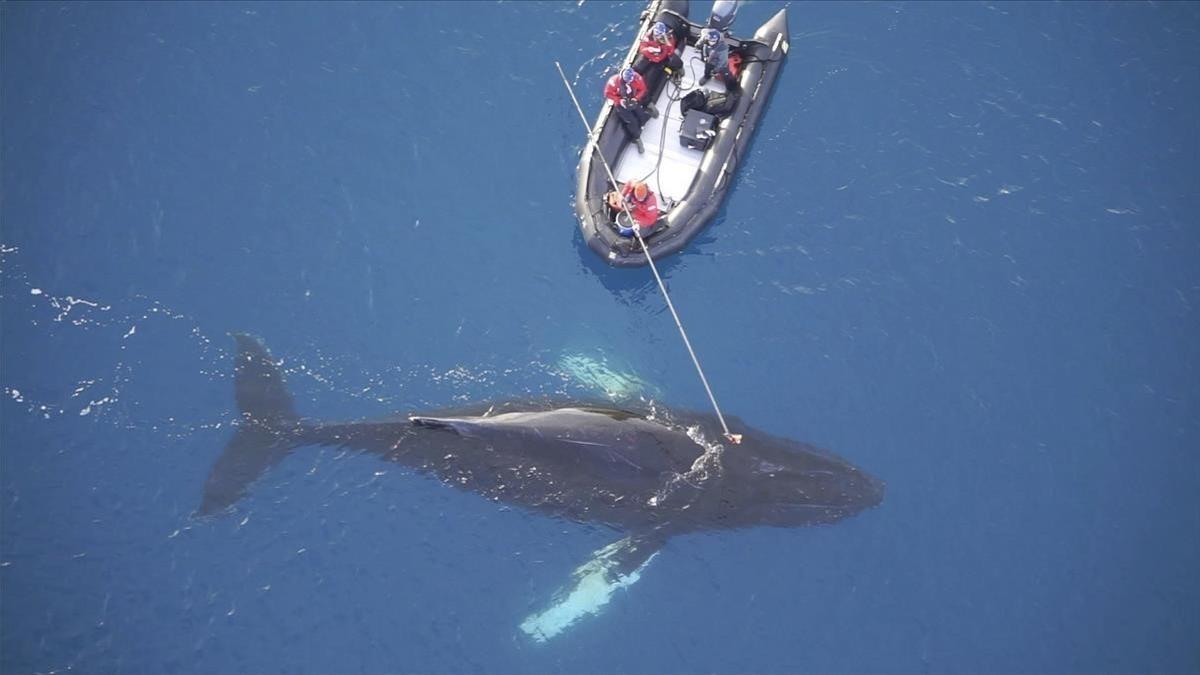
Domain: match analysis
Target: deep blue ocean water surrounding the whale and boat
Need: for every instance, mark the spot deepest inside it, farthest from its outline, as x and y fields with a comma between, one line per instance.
x=963, y=253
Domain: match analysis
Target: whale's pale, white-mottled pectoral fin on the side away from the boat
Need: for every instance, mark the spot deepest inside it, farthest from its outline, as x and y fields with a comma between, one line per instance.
x=617, y=566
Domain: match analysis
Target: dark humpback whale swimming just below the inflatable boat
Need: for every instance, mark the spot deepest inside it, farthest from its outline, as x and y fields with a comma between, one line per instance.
x=645, y=471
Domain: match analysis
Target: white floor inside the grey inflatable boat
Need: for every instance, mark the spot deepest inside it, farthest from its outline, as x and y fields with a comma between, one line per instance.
x=668, y=166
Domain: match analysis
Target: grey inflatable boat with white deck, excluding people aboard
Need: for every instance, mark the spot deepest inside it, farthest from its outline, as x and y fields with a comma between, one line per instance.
x=689, y=176
